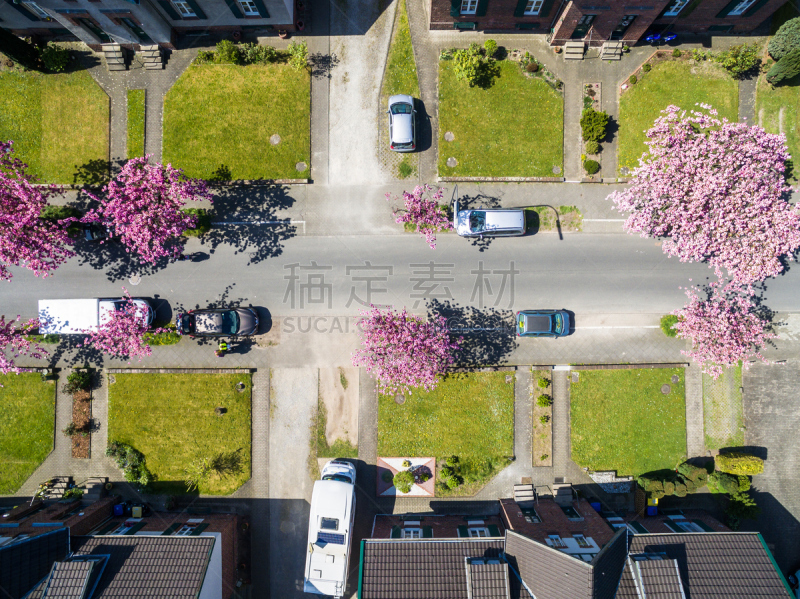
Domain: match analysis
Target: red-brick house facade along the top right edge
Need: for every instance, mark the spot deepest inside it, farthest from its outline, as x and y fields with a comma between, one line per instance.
x=598, y=21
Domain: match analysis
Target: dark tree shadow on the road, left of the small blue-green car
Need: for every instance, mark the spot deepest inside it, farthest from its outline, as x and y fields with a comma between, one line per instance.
x=488, y=334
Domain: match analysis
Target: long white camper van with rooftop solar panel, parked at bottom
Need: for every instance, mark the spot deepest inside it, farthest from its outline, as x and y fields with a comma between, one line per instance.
x=330, y=528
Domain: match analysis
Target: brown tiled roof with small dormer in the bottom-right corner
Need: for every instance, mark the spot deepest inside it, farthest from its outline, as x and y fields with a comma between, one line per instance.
x=713, y=565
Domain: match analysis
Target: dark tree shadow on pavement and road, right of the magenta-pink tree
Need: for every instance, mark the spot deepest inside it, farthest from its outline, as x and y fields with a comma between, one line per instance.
x=251, y=223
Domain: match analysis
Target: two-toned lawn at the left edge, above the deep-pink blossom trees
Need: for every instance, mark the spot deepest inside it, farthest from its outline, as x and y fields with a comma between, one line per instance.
x=59, y=124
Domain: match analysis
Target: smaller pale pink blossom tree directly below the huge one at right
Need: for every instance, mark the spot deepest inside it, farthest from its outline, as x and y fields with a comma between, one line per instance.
x=724, y=328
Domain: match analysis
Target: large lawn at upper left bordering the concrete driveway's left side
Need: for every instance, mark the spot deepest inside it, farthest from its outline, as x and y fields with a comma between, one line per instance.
x=218, y=120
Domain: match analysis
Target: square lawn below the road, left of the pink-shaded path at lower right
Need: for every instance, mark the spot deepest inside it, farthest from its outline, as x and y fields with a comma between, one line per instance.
x=620, y=420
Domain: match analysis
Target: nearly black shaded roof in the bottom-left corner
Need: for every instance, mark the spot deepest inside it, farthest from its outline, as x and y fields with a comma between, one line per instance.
x=24, y=564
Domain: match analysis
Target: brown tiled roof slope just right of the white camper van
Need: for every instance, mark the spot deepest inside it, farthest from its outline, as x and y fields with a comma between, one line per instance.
x=421, y=569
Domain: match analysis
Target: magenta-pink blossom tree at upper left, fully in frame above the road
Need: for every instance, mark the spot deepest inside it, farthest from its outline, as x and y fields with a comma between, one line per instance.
x=142, y=206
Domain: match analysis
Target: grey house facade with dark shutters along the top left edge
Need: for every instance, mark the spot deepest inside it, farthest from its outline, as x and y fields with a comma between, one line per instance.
x=133, y=23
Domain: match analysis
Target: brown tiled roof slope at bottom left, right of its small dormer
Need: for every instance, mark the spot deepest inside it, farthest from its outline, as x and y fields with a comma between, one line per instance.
x=144, y=566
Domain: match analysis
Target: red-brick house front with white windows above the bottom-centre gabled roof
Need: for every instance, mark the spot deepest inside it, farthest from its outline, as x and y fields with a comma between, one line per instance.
x=555, y=521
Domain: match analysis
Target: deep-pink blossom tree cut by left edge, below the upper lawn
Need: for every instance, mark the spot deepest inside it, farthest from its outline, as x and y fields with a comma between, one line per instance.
x=25, y=239
